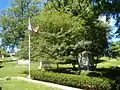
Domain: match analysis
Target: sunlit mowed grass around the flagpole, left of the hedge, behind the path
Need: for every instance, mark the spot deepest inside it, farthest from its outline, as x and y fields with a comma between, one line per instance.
x=12, y=69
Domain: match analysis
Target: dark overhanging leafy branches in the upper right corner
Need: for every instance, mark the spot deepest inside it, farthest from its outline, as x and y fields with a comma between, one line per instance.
x=110, y=8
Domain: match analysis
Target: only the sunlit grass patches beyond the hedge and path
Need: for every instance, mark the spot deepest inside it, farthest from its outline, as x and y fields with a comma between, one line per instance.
x=12, y=69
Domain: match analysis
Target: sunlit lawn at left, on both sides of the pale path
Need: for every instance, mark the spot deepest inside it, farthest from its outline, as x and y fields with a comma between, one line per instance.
x=12, y=69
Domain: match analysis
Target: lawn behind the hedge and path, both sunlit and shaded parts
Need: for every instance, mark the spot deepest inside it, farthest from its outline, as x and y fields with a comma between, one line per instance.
x=104, y=66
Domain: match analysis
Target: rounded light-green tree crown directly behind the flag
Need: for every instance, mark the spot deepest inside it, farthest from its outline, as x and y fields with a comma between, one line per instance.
x=58, y=35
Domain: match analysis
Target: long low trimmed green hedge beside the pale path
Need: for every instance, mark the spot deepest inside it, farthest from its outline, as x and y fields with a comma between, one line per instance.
x=83, y=82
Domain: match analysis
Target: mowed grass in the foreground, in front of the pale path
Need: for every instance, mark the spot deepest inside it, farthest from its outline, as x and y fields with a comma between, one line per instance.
x=23, y=85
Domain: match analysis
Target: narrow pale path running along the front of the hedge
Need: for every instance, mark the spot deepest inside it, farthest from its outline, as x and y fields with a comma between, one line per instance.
x=47, y=83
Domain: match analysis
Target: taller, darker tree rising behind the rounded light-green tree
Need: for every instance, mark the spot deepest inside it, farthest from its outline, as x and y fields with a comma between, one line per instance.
x=96, y=31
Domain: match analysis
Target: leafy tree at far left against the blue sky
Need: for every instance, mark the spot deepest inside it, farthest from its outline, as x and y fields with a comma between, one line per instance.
x=14, y=20
